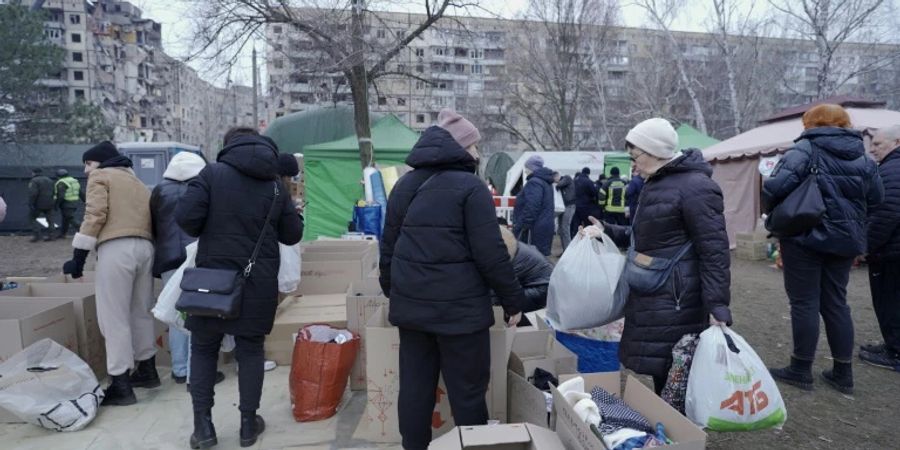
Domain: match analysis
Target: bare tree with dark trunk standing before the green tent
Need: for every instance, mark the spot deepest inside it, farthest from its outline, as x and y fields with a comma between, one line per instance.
x=338, y=31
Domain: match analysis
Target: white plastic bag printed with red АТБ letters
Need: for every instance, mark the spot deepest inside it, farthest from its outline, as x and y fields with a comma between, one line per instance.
x=729, y=387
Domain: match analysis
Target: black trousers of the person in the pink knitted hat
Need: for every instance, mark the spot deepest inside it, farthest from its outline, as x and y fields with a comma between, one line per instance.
x=465, y=362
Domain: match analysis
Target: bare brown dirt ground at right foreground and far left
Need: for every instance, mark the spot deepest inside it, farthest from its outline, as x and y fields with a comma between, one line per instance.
x=823, y=419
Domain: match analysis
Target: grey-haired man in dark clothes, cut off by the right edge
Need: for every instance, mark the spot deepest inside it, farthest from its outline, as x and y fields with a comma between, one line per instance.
x=884, y=253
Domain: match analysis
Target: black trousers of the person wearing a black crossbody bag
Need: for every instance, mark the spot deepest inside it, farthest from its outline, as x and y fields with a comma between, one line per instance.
x=204, y=357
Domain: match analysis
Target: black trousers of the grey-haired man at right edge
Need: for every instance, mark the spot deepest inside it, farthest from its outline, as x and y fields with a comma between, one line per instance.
x=884, y=279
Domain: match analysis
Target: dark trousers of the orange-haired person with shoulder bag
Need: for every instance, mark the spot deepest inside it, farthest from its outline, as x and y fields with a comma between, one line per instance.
x=816, y=284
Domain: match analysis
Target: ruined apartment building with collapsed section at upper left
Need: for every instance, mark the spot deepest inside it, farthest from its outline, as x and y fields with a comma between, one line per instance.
x=114, y=58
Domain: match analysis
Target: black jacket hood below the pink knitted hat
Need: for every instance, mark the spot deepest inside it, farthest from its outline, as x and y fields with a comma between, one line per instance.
x=437, y=149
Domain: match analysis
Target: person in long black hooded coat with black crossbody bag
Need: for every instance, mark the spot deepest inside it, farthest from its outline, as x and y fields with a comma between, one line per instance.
x=225, y=207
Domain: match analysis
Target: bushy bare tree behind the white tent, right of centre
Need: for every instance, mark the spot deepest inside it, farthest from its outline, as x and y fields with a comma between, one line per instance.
x=549, y=88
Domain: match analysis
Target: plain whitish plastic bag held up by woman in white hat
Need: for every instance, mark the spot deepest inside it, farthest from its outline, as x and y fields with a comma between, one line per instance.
x=582, y=291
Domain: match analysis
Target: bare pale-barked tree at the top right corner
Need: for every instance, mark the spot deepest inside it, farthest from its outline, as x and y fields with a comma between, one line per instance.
x=831, y=24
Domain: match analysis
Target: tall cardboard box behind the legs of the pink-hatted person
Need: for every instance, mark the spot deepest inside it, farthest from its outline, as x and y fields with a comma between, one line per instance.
x=380, y=422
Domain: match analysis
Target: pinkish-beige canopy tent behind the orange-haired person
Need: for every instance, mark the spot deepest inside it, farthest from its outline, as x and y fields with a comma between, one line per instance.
x=735, y=161
